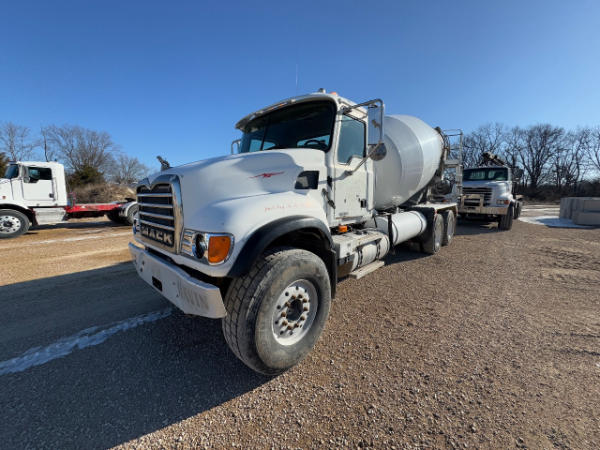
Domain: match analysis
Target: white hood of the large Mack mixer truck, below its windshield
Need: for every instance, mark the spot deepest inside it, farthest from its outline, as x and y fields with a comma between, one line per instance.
x=210, y=188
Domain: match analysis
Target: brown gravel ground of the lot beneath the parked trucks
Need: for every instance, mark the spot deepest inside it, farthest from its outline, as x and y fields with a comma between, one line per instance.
x=493, y=342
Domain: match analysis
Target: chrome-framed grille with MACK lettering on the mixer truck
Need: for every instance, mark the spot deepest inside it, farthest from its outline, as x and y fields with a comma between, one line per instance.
x=159, y=211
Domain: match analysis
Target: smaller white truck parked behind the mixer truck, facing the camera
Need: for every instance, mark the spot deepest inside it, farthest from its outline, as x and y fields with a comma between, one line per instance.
x=488, y=192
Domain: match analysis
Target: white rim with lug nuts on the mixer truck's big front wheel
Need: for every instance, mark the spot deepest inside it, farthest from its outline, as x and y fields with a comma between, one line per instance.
x=294, y=312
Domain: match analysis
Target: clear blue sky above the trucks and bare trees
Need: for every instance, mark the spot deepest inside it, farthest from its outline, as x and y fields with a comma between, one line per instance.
x=172, y=78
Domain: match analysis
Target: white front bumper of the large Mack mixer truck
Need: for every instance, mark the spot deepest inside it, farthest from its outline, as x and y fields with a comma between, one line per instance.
x=190, y=295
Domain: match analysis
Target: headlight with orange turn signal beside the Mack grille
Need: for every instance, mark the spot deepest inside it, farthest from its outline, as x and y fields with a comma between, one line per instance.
x=211, y=248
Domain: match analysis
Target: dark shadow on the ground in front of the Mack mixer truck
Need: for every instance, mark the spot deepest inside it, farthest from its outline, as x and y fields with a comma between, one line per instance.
x=135, y=382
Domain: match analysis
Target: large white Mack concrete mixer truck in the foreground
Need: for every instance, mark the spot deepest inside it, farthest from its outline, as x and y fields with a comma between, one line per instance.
x=319, y=188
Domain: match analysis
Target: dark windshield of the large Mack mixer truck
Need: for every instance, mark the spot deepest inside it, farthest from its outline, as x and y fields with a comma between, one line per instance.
x=306, y=125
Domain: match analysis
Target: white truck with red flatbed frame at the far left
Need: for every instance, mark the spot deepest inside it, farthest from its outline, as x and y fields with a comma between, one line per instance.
x=35, y=193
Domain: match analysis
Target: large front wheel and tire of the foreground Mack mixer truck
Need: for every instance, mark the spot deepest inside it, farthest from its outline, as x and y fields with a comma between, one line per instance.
x=276, y=313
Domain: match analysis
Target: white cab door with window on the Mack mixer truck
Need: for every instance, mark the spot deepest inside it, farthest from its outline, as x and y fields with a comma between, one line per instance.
x=350, y=191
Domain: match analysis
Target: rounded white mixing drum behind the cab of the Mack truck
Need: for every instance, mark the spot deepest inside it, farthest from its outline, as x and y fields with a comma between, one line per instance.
x=413, y=156
